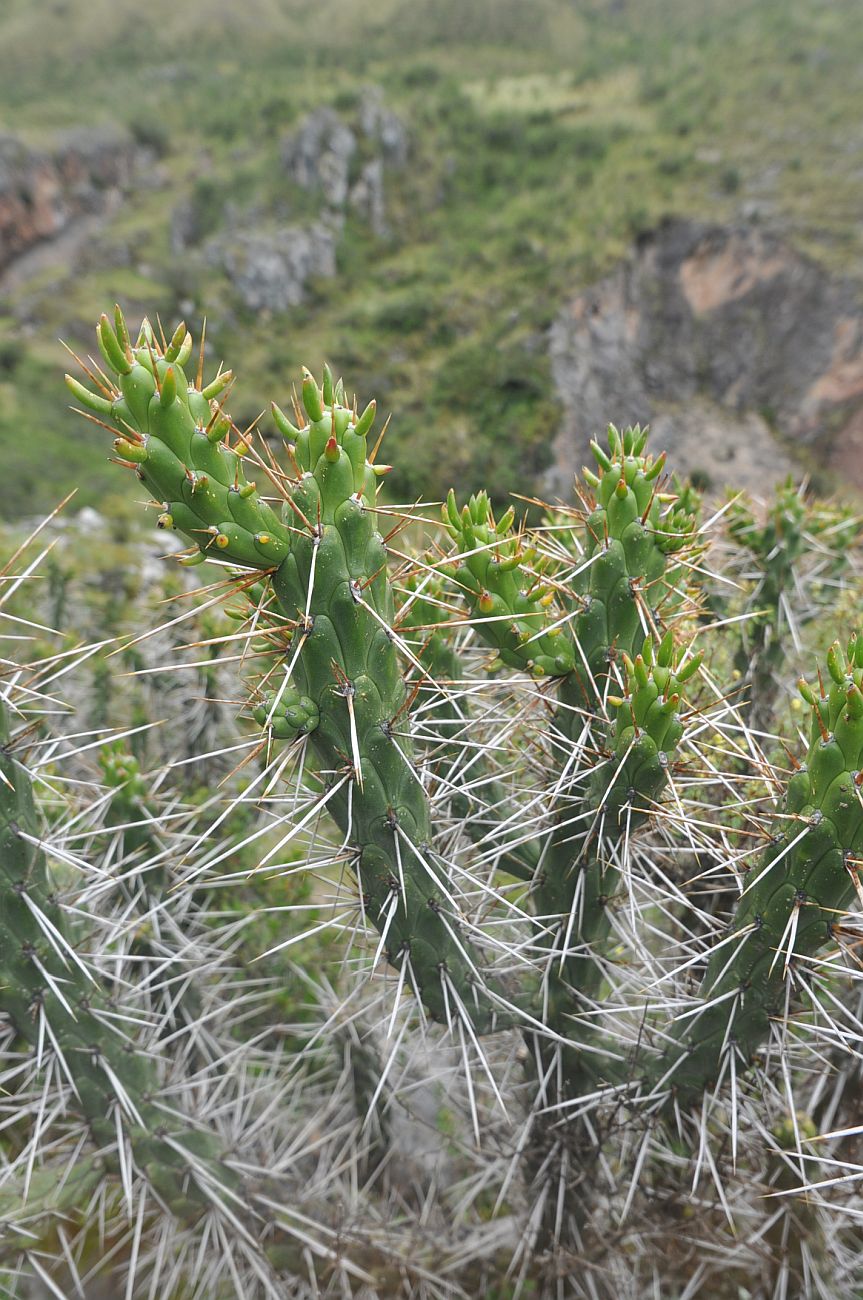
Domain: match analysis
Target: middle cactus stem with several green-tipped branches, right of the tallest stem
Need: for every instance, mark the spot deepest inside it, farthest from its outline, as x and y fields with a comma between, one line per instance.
x=573, y=614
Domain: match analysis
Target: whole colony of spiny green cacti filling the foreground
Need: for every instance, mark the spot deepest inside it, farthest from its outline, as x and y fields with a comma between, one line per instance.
x=596, y=911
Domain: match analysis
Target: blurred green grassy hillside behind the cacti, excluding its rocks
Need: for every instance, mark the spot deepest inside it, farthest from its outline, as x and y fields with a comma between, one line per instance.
x=544, y=137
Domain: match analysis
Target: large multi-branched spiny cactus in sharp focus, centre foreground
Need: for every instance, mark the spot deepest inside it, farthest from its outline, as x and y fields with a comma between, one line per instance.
x=586, y=634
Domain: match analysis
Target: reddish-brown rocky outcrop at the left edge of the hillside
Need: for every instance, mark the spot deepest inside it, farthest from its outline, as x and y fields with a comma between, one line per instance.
x=44, y=193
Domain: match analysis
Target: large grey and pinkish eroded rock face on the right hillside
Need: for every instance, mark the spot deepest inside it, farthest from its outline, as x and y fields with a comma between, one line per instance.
x=727, y=318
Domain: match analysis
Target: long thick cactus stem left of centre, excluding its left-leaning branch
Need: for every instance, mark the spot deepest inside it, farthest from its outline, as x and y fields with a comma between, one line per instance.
x=335, y=587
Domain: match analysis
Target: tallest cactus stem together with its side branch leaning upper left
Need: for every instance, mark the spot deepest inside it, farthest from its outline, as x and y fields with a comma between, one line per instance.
x=327, y=564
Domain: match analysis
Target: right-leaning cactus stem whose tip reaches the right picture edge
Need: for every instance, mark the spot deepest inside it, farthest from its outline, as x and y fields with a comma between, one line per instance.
x=799, y=891
